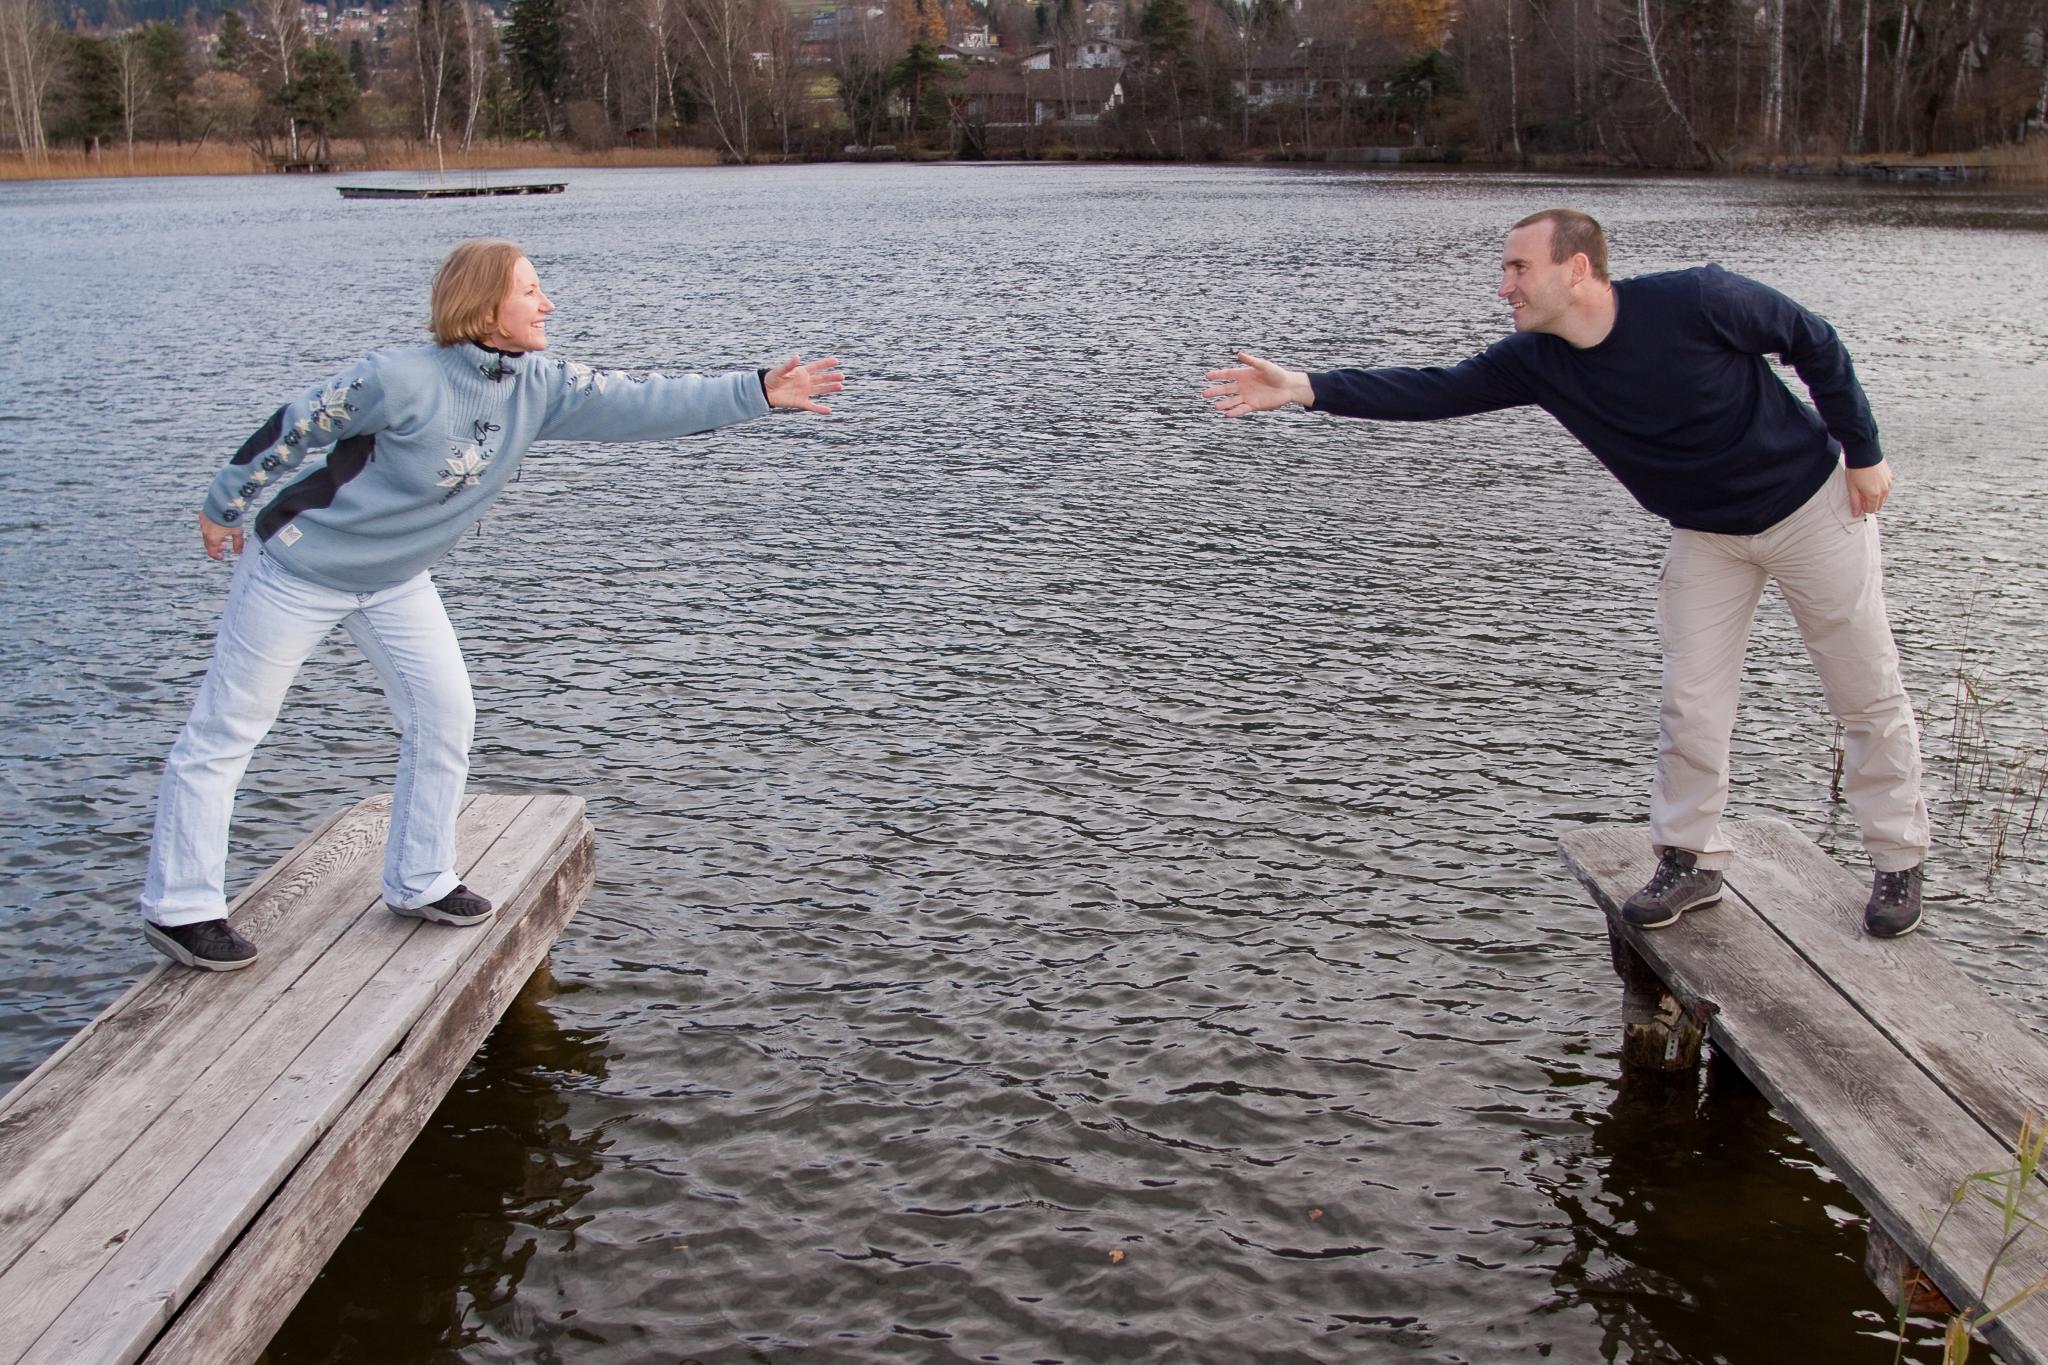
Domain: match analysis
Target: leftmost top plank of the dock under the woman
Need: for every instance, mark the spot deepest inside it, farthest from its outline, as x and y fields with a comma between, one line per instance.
x=175, y=1020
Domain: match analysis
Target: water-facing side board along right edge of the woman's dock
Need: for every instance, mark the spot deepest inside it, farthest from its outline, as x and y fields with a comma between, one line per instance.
x=253, y=1292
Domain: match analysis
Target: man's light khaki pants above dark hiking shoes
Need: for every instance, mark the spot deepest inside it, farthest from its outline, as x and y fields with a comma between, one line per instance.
x=1828, y=568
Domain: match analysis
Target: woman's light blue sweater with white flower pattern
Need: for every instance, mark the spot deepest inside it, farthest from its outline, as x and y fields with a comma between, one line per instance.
x=421, y=441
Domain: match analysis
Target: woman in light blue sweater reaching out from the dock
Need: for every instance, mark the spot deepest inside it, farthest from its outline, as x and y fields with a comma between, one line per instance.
x=419, y=443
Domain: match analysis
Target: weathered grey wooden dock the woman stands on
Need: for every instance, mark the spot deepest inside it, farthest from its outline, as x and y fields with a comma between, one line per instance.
x=177, y=1176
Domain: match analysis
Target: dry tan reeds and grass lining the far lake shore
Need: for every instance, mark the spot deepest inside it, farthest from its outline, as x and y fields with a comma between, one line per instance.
x=2020, y=167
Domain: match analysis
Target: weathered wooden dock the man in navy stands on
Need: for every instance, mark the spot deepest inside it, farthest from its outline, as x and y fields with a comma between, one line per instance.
x=1897, y=1069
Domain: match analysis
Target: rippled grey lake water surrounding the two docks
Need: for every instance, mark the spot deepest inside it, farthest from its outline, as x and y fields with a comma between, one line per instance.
x=1039, y=820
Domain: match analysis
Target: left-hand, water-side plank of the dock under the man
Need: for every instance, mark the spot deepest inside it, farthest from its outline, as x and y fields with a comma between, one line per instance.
x=1889, y=1133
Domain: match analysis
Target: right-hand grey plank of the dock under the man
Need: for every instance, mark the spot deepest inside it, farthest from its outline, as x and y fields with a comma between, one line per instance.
x=1990, y=1061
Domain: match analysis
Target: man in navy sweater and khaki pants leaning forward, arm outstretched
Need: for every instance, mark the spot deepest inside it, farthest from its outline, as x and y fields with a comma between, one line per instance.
x=1664, y=380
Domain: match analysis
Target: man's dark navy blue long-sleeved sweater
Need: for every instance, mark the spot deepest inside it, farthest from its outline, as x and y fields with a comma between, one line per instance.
x=1678, y=402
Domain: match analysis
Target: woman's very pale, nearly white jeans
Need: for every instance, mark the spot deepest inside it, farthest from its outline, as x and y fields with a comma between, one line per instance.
x=271, y=625
